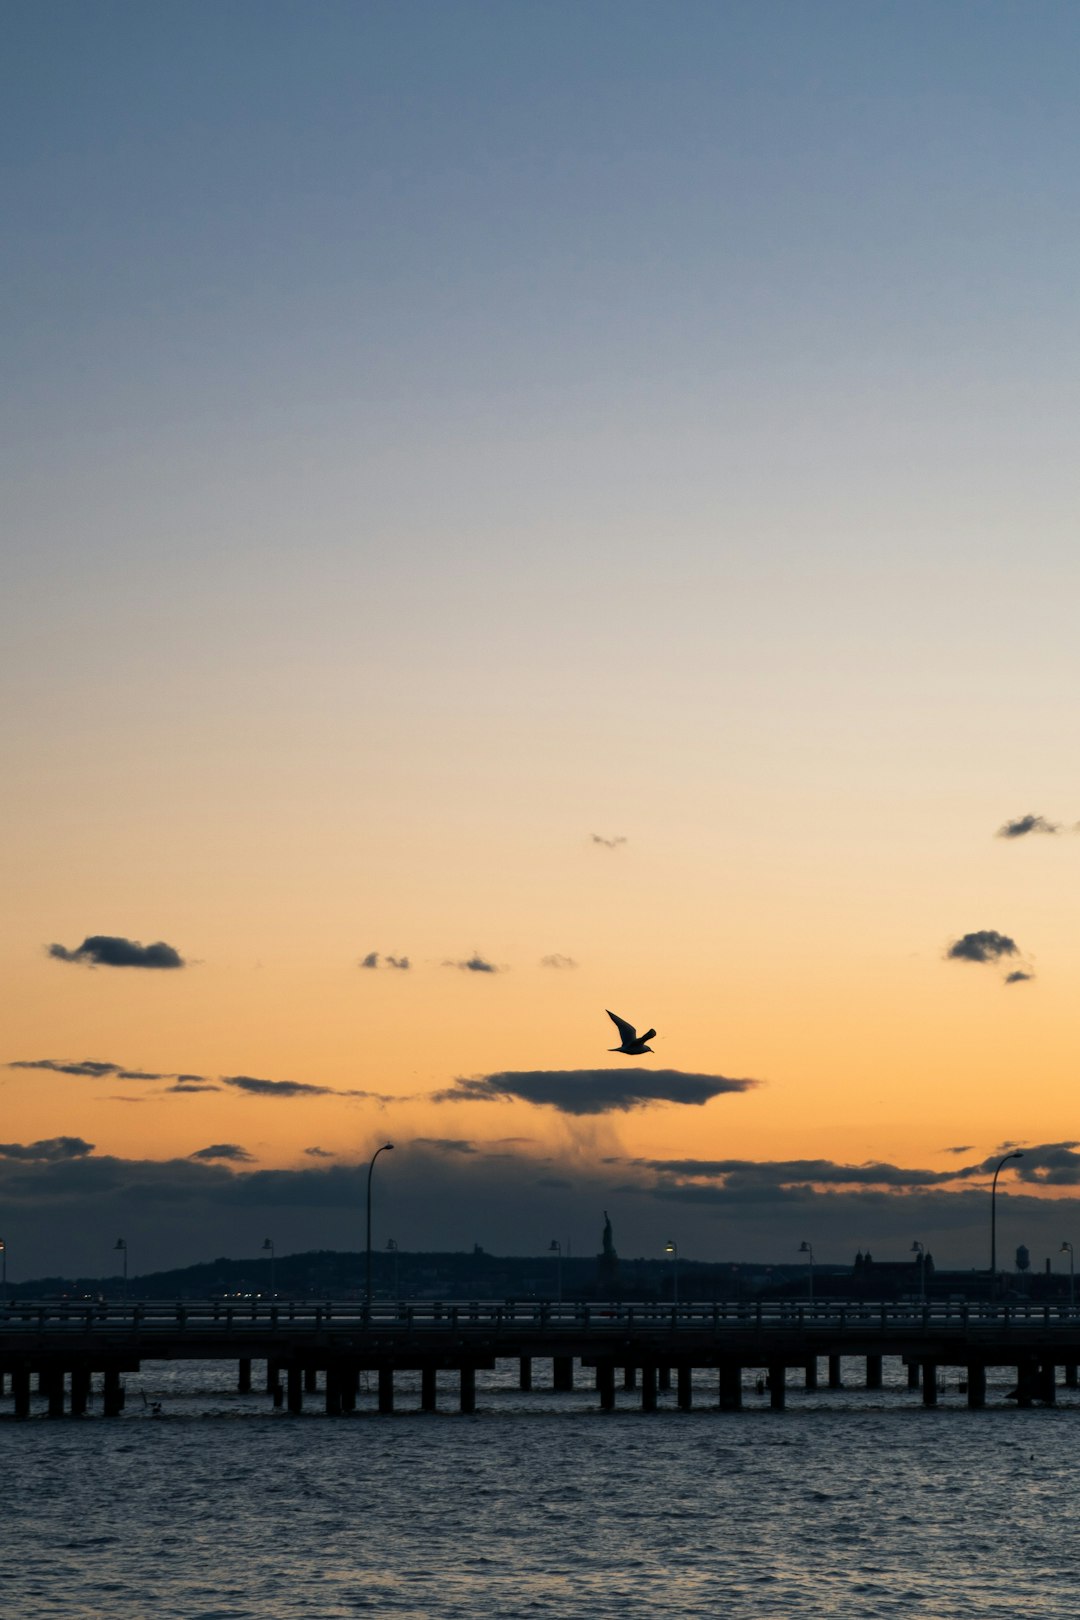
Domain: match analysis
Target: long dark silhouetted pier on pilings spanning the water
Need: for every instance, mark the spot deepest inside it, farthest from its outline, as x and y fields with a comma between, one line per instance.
x=315, y=1349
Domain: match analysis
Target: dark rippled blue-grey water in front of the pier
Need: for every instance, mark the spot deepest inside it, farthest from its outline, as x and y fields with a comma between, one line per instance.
x=849, y=1504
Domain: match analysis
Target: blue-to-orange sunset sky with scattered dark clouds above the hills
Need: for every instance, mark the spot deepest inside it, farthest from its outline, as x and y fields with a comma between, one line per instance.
x=517, y=511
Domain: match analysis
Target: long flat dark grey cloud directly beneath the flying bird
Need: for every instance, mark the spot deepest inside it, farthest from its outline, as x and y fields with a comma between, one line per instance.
x=593, y=1091
